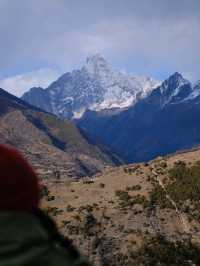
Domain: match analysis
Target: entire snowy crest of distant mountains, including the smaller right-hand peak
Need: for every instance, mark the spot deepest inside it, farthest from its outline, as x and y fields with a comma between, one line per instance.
x=98, y=86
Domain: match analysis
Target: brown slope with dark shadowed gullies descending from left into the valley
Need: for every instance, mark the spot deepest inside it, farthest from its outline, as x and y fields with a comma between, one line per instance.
x=54, y=147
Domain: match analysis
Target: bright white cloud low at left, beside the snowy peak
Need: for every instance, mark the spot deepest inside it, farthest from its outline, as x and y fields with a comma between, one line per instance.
x=19, y=84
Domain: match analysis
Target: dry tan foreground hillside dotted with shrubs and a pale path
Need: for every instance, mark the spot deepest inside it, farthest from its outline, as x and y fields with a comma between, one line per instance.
x=139, y=214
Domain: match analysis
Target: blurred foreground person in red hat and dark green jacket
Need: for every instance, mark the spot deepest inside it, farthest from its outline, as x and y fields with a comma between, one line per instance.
x=28, y=237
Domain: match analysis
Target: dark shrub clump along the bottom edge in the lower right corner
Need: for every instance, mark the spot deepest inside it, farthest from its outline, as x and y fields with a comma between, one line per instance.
x=158, y=250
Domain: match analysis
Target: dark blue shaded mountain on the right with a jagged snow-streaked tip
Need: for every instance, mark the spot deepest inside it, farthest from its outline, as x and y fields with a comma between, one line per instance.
x=165, y=121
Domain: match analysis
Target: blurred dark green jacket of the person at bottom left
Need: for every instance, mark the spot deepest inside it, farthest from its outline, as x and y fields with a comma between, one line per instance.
x=27, y=239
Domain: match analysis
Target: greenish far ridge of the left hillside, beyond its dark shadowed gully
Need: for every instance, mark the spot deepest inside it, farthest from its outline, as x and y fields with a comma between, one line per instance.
x=68, y=136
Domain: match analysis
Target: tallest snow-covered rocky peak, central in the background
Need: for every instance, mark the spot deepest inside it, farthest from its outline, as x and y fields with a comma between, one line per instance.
x=96, y=86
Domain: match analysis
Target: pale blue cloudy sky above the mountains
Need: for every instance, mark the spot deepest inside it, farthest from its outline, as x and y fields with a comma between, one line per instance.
x=42, y=39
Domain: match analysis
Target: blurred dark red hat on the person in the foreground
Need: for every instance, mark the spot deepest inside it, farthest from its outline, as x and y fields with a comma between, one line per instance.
x=19, y=188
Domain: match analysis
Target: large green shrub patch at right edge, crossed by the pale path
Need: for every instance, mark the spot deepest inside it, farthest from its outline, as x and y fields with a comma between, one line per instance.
x=183, y=187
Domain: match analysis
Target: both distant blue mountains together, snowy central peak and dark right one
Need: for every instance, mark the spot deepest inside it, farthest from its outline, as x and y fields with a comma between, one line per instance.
x=137, y=117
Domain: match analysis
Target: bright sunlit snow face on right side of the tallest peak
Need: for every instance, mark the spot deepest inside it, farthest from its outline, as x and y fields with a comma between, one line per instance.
x=121, y=90
